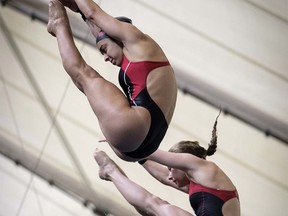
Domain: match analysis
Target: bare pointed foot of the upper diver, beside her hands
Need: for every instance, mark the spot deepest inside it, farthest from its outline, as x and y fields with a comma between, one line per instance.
x=57, y=15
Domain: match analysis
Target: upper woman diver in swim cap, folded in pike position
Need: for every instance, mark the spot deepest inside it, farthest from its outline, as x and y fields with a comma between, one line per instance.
x=133, y=123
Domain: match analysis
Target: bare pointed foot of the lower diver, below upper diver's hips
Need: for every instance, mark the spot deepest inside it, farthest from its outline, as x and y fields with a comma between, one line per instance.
x=106, y=165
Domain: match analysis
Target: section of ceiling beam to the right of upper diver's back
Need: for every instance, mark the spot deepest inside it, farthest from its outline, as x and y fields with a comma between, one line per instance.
x=268, y=124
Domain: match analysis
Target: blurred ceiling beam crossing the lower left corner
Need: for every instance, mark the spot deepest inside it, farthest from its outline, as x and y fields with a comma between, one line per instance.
x=62, y=179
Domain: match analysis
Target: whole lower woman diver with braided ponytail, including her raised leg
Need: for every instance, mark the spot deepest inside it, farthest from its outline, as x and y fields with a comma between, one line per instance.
x=211, y=192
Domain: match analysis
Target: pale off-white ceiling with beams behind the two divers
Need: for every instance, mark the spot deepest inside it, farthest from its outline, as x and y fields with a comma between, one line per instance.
x=229, y=54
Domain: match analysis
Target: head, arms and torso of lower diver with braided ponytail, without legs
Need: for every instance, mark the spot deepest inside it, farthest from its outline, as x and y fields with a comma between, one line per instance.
x=211, y=192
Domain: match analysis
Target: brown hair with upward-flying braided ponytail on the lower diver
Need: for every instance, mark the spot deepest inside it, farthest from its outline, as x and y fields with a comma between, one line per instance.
x=193, y=147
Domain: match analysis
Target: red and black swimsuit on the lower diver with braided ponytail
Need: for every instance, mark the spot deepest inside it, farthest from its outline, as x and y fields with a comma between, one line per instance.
x=208, y=201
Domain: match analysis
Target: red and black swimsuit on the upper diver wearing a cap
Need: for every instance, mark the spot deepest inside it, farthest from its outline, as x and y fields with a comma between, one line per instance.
x=132, y=78
